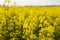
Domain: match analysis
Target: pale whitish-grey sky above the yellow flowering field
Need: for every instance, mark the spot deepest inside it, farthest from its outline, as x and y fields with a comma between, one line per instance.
x=33, y=2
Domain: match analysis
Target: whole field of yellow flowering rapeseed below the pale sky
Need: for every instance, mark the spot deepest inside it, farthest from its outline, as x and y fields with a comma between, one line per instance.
x=30, y=23
